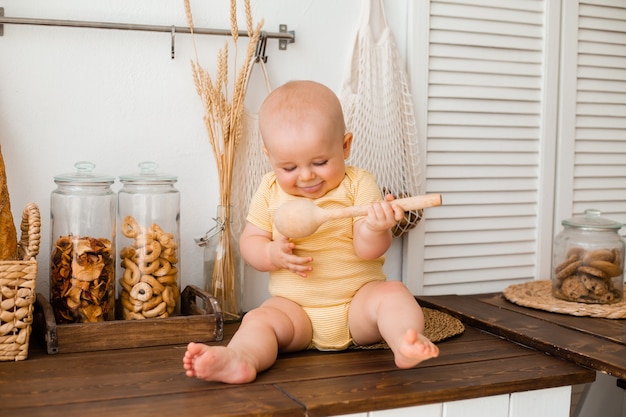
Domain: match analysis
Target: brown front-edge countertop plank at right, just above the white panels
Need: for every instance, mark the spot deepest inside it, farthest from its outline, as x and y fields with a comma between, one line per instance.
x=351, y=394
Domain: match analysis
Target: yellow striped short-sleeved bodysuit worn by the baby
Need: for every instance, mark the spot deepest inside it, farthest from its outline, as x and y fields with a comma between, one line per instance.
x=338, y=273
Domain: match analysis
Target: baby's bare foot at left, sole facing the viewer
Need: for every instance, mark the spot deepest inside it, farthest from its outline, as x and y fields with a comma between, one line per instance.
x=217, y=363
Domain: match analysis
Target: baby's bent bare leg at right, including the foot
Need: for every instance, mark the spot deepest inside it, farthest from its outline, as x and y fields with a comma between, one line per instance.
x=387, y=310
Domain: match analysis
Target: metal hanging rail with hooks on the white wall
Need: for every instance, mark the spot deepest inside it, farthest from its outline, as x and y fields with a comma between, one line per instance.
x=284, y=36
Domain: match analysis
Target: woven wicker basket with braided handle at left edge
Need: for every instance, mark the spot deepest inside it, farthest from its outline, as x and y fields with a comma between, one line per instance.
x=17, y=289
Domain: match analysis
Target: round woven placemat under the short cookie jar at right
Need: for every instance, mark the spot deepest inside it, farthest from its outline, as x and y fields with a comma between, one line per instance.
x=538, y=295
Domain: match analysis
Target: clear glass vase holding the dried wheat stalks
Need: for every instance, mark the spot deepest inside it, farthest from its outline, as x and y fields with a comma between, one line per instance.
x=223, y=265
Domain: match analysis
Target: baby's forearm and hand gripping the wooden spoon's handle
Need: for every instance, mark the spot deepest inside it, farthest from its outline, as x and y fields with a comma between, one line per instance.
x=372, y=234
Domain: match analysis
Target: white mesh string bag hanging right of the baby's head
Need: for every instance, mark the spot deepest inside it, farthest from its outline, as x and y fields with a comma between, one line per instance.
x=378, y=108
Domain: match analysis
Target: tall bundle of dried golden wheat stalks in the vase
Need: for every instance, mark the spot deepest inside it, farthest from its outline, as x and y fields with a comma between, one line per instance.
x=223, y=106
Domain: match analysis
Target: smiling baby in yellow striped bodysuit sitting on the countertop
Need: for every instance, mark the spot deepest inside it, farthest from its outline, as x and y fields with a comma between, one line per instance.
x=328, y=290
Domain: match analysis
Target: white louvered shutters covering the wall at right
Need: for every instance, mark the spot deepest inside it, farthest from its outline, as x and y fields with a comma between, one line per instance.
x=523, y=123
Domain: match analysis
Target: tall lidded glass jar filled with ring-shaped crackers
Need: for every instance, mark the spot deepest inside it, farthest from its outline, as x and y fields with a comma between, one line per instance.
x=149, y=221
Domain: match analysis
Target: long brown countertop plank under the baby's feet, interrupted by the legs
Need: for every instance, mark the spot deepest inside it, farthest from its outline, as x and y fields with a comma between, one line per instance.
x=157, y=371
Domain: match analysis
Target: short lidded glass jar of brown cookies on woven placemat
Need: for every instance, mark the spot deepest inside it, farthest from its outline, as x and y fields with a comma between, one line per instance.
x=588, y=260
